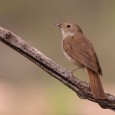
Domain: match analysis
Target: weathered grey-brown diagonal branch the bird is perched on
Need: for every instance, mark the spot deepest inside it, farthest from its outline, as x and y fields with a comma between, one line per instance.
x=81, y=88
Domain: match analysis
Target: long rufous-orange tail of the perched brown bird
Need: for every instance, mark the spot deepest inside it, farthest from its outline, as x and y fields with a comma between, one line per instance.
x=95, y=84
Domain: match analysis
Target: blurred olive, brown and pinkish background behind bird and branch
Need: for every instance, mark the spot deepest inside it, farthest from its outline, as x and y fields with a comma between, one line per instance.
x=25, y=89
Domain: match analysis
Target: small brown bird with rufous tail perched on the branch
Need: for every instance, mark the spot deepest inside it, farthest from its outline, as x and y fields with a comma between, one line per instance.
x=79, y=50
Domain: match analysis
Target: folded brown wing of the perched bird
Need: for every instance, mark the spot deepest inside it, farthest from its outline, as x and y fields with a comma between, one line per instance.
x=81, y=50
